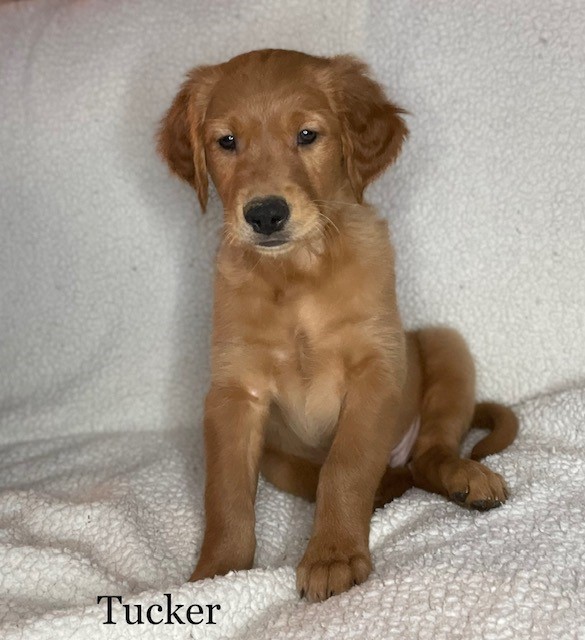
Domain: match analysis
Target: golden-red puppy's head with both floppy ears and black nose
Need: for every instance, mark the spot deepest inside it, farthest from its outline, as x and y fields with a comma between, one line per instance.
x=285, y=137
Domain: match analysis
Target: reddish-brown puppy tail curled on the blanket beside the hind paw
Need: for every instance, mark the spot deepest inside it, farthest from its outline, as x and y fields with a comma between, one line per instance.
x=502, y=423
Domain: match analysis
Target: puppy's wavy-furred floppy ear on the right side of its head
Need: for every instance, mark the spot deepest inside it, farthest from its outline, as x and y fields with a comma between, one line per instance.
x=372, y=129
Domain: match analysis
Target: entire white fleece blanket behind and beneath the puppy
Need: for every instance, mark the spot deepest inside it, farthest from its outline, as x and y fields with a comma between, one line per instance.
x=105, y=281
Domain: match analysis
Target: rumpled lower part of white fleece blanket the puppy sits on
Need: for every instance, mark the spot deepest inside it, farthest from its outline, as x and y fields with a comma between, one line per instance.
x=121, y=514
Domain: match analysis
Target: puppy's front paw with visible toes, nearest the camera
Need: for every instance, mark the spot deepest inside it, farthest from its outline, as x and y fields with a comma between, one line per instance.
x=328, y=569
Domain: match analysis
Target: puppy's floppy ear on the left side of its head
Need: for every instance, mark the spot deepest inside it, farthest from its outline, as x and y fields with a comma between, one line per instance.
x=180, y=136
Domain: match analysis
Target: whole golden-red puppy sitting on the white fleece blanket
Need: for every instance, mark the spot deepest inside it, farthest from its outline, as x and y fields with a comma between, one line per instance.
x=313, y=380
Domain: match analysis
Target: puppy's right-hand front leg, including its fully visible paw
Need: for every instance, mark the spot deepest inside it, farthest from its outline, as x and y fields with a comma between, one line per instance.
x=338, y=555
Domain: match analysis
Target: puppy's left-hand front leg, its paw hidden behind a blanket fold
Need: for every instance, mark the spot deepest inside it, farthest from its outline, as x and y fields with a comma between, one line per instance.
x=234, y=434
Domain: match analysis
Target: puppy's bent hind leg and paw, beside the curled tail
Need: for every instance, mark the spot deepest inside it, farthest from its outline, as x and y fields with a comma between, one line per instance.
x=447, y=412
